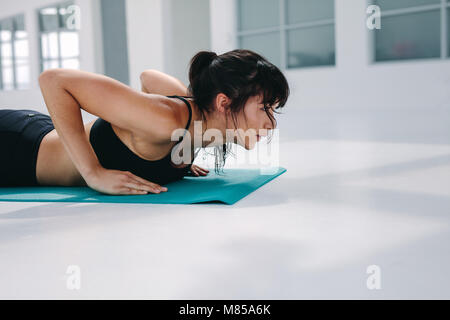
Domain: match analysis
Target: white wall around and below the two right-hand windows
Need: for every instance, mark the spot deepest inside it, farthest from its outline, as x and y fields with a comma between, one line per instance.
x=354, y=82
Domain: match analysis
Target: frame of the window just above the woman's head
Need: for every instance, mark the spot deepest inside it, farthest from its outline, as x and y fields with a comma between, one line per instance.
x=283, y=29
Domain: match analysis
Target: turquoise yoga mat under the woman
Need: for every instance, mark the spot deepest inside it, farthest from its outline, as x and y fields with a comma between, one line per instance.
x=228, y=187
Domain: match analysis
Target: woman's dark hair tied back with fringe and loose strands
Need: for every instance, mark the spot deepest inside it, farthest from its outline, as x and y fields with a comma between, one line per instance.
x=239, y=74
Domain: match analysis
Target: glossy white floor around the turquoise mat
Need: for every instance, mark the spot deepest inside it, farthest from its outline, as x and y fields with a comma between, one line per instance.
x=362, y=188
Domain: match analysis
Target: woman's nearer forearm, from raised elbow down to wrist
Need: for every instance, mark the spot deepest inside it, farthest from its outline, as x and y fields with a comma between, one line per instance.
x=66, y=116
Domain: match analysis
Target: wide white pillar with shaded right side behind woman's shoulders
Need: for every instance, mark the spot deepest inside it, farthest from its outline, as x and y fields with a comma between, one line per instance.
x=165, y=34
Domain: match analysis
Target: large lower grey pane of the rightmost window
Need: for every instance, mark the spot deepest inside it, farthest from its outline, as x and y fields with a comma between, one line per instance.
x=408, y=36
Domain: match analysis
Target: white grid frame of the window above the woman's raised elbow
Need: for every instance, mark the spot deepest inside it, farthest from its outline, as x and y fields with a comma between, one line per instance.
x=59, y=59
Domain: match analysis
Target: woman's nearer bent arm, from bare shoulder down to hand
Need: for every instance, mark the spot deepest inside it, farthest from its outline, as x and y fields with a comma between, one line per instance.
x=66, y=91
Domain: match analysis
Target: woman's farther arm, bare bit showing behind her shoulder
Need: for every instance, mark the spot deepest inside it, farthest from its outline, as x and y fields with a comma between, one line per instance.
x=154, y=81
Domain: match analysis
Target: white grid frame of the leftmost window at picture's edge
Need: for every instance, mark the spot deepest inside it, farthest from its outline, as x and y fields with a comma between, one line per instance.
x=14, y=59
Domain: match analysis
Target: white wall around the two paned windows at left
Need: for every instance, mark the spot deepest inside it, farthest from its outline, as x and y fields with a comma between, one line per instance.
x=91, y=58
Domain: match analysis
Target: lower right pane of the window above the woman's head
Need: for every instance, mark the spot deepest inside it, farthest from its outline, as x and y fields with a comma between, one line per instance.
x=311, y=46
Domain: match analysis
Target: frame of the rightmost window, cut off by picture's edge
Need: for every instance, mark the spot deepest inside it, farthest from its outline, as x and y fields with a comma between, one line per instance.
x=443, y=7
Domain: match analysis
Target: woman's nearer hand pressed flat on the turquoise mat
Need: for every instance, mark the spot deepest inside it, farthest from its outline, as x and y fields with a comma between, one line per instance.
x=120, y=182
